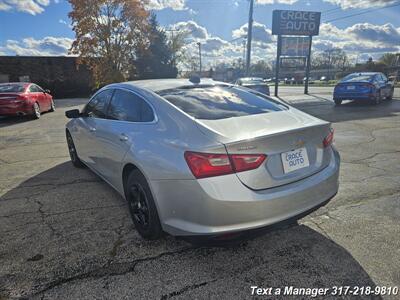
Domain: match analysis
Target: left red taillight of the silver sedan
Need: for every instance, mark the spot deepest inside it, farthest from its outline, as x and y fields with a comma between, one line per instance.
x=205, y=165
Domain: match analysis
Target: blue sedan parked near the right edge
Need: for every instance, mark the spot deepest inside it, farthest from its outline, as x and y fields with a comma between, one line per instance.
x=366, y=86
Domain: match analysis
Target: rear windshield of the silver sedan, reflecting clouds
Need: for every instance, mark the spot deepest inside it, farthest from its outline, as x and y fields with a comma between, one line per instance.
x=220, y=102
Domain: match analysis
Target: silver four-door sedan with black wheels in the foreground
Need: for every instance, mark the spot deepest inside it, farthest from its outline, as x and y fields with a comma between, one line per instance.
x=203, y=157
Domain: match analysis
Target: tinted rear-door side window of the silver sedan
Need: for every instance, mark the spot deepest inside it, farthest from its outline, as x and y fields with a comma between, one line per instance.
x=127, y=106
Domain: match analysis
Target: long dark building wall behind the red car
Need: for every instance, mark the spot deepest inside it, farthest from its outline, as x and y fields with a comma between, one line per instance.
x=60, y=74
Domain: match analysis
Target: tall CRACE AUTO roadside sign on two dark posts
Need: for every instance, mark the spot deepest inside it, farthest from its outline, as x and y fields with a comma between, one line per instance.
x=298, y=23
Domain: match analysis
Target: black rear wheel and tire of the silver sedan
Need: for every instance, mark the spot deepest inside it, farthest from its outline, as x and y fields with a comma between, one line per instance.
x=141, y=205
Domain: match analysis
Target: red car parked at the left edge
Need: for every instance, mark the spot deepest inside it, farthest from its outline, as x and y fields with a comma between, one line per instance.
x=22, y=98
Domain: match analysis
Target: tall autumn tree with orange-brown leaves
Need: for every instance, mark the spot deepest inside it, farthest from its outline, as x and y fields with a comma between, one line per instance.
x=108, y=34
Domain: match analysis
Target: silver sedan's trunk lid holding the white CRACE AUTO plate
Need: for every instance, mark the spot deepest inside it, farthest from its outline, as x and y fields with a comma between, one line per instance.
x=275, y=135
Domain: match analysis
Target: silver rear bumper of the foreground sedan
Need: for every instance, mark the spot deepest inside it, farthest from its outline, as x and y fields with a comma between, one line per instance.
x=223, y=204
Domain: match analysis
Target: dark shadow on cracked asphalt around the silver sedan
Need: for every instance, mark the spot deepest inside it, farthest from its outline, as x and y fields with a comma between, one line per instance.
x=65, y=225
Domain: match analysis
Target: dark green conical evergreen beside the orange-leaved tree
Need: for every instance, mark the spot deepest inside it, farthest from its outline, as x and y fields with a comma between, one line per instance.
x=156, y=59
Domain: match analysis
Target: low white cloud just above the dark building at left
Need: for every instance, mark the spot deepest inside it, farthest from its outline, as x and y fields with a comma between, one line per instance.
x=48, y=46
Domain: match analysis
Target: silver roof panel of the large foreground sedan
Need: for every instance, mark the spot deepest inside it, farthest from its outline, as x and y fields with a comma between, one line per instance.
x=157, y=85
